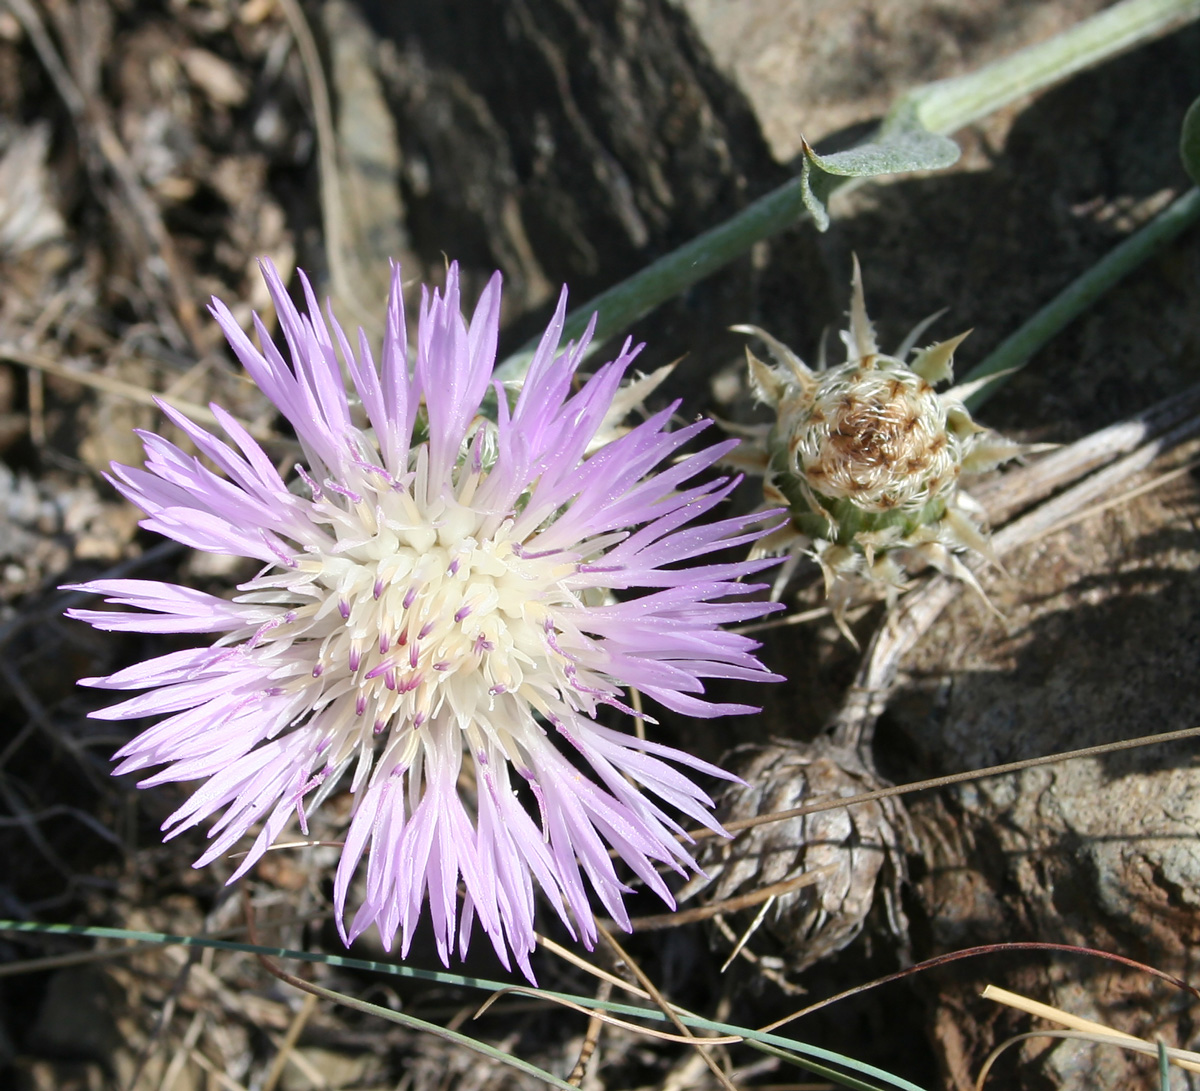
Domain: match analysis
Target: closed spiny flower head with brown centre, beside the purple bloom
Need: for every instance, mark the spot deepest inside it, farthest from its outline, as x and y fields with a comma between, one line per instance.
x=867, y=457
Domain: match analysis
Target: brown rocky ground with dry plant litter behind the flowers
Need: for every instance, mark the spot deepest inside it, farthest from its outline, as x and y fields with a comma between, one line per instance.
x=152, y=152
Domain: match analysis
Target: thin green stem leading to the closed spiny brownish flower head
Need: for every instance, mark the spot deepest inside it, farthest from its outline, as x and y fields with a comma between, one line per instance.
x=1016, y=351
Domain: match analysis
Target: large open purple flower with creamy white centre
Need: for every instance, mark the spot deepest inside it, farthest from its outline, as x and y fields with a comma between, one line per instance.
x=439, y=588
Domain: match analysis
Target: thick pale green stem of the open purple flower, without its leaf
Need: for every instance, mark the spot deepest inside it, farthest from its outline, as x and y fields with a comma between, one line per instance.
x=941, y=107
